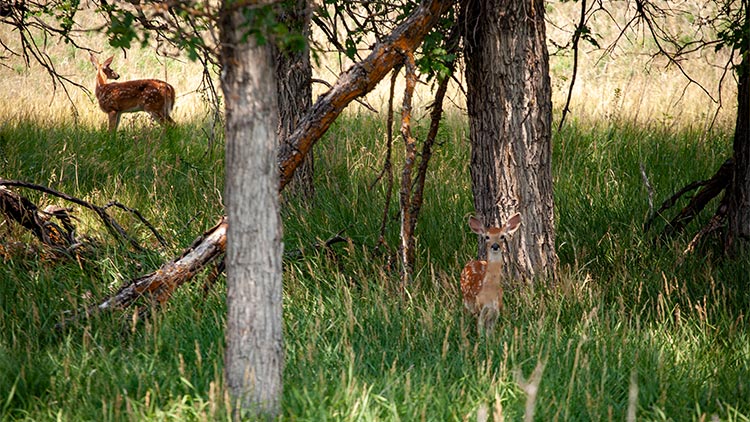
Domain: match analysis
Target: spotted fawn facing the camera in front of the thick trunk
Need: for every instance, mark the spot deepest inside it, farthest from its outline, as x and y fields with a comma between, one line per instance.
x=481, y=281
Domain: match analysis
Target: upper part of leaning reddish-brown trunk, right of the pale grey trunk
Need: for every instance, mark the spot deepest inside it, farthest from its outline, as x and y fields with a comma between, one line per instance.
x=358, y=80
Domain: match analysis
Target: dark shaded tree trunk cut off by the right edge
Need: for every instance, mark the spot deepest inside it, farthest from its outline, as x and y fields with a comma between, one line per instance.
x=738, y=212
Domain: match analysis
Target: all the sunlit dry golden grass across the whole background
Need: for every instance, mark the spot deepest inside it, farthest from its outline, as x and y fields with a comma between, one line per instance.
x=626, y=84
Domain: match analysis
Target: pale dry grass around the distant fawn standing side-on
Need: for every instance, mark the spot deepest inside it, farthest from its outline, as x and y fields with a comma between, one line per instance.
x=28, y=93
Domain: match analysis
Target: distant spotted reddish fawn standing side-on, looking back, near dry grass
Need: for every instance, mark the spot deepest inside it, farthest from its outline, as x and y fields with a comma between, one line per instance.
x=150, y=95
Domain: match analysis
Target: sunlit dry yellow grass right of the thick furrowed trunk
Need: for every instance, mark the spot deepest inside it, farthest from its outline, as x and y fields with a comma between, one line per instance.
x=629, y=82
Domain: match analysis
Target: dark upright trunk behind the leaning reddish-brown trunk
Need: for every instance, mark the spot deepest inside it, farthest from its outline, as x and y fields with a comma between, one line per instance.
x=293, y=84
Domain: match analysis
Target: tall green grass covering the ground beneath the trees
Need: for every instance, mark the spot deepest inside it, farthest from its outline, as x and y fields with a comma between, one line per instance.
x=626, y=307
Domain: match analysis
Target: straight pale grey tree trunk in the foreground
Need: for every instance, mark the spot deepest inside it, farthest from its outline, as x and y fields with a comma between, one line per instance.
x=254, y=346
